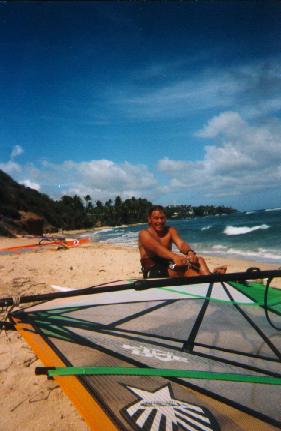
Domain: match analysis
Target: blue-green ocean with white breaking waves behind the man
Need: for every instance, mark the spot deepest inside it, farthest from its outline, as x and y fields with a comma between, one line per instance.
x=251, y=235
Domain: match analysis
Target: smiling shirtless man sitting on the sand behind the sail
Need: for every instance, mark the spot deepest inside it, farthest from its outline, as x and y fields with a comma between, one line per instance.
x=157, y=257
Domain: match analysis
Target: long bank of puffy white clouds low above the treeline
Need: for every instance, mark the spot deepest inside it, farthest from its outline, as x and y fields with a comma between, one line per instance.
x=241, y=158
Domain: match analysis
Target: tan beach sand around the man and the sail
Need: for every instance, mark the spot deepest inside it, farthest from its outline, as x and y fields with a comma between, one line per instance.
x=30, y=402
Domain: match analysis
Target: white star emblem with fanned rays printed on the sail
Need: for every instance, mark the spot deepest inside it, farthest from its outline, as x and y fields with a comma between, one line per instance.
x=159, y=410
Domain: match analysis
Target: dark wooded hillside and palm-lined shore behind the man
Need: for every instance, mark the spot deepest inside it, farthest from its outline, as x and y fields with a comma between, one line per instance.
x=26, y=211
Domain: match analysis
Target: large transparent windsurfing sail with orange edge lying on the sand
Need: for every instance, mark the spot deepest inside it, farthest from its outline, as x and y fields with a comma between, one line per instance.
x=164, y=354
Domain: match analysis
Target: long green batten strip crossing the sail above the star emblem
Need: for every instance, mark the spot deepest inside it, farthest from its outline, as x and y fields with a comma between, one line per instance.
x=164, y=372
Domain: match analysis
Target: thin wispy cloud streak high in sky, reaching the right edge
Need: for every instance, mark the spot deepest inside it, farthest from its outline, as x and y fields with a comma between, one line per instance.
x=253, y=89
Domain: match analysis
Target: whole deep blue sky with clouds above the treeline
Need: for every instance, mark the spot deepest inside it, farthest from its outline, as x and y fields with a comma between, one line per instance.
x=176, y=102
